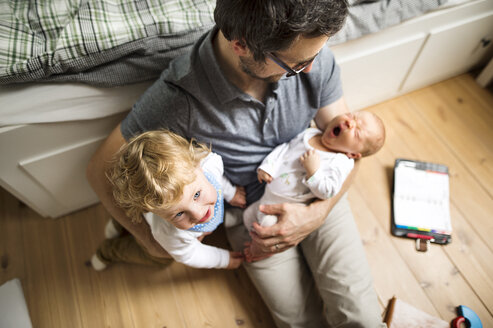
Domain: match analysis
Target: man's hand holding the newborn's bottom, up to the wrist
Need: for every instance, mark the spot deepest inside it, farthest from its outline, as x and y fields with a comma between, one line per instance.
x=296, y=221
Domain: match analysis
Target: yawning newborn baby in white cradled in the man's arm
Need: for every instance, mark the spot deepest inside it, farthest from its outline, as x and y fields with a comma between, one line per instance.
x=314, y=164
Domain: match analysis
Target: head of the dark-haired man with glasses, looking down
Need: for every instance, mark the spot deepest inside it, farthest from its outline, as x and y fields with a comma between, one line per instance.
x=272, y=37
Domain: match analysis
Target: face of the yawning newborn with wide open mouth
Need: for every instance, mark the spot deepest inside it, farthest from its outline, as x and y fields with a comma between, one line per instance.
x=349, y=133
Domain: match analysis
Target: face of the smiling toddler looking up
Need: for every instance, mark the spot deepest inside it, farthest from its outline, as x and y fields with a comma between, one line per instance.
x=195, y=206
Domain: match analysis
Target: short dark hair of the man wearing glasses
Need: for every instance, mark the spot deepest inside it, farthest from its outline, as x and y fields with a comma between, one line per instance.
x=272, y=25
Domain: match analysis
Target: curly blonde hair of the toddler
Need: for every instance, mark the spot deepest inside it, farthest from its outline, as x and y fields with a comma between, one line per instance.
x=151, y=170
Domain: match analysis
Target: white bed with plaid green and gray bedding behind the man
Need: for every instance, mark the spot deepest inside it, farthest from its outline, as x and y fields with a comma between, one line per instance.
x=81, y=69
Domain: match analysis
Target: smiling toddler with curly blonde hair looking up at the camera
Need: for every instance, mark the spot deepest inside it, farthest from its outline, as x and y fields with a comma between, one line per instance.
x=178, y=187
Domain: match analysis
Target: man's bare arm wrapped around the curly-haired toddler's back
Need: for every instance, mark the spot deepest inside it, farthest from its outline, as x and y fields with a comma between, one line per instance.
x=96, y=169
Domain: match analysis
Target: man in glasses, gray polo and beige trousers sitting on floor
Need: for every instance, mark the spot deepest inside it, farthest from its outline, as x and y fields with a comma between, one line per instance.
x=253, y=82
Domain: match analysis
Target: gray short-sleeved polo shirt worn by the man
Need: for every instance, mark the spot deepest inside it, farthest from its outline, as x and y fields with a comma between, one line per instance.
x=194, y=99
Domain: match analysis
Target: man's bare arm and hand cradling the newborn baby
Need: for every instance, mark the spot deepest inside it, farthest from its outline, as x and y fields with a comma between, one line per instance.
x=296, y=221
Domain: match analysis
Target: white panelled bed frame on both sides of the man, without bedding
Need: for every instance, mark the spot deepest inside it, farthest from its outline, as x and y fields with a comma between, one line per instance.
x=43, y=165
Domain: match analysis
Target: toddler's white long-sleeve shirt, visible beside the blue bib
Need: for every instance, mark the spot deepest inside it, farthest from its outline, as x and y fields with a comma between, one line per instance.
x=183, y=245
